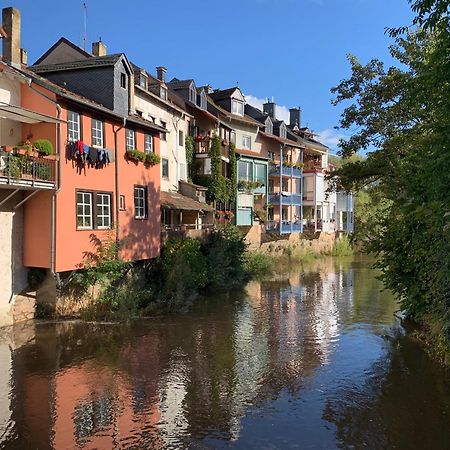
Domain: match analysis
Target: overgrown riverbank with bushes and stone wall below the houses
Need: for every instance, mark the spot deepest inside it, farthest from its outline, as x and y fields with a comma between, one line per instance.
x=226, y=259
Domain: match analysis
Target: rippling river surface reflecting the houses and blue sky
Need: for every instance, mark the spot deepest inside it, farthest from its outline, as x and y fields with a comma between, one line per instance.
x=311, y=358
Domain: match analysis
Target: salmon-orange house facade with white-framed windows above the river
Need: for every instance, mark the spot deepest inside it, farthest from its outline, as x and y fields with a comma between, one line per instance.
x=74, y=245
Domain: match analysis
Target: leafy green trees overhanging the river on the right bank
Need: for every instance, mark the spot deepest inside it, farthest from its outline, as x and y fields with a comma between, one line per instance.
x=403, y=114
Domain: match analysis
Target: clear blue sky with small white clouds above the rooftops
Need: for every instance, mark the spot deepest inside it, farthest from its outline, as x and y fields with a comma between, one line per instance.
x=293, y=51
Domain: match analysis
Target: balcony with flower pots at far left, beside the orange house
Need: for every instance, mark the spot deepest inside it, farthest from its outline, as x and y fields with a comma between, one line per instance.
x=27, y=172
